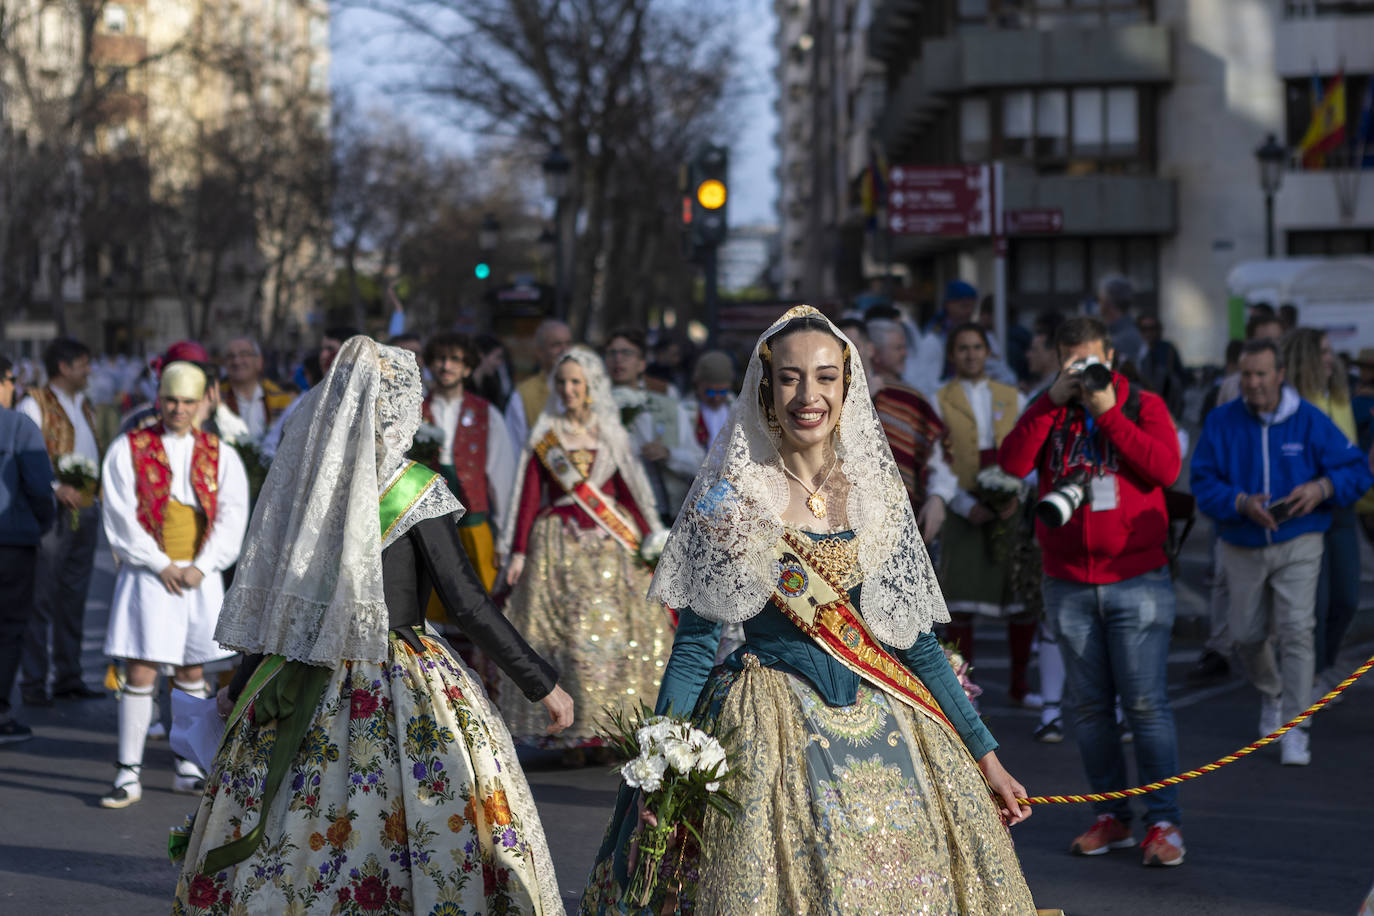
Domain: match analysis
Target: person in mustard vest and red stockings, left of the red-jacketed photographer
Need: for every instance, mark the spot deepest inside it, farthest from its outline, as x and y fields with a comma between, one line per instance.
x=976, y=551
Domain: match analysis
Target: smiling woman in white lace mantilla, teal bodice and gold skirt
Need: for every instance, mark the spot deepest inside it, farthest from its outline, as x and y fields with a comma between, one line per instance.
x=869, y=785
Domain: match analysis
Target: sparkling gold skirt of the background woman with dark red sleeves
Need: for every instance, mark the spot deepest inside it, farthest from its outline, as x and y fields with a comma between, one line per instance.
x=582, y=605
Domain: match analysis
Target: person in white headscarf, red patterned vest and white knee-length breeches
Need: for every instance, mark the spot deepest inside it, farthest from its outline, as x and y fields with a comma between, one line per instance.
x=175, y=513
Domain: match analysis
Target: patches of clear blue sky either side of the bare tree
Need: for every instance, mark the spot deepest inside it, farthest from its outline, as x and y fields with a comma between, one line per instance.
x=370, y=56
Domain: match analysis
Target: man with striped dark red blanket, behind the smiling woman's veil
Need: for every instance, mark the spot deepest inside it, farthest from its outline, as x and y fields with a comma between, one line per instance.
x=913, y=428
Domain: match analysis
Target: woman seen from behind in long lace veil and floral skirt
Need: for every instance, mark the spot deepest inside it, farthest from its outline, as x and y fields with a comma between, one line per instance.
x=362, y=768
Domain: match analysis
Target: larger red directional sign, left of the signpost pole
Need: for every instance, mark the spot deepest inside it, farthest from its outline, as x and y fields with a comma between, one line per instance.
x=942, y=200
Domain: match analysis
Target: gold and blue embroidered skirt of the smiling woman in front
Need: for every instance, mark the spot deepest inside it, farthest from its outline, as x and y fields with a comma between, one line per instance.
x=857, y=810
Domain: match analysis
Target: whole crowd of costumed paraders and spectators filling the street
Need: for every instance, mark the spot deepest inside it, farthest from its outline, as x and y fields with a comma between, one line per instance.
x=524, y=521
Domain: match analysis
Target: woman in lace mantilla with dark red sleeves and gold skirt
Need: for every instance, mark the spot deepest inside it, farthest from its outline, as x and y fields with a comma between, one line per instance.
x=576, y=536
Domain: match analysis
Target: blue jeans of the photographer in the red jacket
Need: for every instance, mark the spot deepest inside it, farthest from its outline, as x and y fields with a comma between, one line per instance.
x=1116, y=642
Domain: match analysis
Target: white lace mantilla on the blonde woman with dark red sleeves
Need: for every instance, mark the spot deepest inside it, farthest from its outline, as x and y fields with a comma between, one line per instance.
x=613, y=447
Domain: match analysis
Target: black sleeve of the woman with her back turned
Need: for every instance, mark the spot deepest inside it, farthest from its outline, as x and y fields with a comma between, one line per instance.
x=472, y=610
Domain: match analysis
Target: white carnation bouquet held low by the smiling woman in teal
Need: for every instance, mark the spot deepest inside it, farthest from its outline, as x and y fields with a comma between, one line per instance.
x=679, y=770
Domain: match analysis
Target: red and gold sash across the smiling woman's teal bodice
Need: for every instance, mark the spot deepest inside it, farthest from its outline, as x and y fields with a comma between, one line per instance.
x=821, y=609
